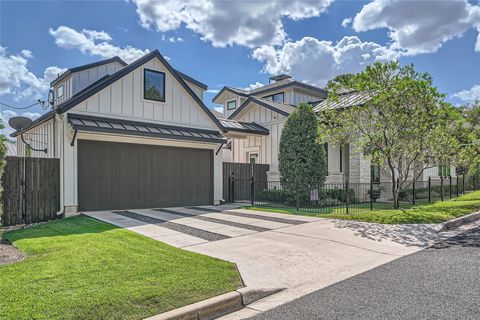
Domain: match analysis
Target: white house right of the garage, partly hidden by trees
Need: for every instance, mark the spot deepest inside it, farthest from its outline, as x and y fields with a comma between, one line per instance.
x=268, y=108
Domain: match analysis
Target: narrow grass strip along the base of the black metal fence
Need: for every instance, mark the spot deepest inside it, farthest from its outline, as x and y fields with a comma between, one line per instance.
x=423, y=213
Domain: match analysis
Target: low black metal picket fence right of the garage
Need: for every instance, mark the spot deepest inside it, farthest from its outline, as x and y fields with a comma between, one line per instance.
x=349, y=197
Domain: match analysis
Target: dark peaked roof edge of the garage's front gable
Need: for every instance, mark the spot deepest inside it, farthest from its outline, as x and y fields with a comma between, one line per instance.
x=108, y=80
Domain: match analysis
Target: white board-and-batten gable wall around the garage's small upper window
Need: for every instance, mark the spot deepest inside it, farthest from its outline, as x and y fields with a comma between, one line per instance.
x=124, y=99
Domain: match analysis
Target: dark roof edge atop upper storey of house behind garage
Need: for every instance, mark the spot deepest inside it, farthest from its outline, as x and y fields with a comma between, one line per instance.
x=281, y=84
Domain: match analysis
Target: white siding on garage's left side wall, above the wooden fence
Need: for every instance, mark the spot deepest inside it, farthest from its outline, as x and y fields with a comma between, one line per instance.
x=39, y=137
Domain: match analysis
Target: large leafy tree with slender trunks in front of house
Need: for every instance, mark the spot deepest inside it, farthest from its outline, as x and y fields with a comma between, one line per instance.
x=402, y=123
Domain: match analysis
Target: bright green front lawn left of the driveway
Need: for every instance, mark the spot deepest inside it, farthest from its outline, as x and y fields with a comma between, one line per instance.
x=80, y=268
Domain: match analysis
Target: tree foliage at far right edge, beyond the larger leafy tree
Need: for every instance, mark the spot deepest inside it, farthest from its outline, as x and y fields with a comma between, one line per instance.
x=469, y=137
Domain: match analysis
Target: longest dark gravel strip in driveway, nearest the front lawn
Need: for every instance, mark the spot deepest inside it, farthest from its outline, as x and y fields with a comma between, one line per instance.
x=199, y=233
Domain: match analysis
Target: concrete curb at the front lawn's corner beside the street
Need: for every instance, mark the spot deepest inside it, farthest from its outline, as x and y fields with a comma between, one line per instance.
x=217, y=306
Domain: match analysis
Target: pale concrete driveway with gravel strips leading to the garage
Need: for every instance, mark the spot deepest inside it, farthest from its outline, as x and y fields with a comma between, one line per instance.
x=300, y=254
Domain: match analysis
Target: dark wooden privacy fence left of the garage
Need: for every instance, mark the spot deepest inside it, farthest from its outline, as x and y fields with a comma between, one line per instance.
x=31, y=190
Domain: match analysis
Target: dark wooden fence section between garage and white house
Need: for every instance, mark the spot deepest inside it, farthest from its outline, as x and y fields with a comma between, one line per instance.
x=237, y=178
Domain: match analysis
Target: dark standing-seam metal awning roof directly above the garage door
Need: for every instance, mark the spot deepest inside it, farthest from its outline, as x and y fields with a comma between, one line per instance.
x=136, y=128
